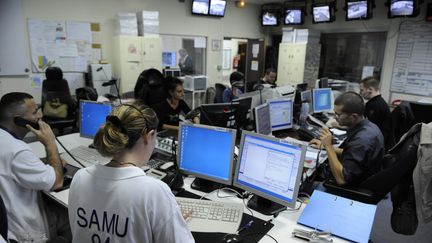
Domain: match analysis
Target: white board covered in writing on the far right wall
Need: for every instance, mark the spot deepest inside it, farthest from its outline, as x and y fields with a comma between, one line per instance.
x=412, y=70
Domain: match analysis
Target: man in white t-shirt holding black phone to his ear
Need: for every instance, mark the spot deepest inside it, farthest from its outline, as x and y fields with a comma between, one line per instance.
x=22, y=174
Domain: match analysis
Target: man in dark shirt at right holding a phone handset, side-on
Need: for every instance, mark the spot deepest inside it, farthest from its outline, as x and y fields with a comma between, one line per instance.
x=362, y=151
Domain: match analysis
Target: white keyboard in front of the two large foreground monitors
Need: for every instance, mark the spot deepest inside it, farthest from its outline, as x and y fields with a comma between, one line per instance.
x=211, y=216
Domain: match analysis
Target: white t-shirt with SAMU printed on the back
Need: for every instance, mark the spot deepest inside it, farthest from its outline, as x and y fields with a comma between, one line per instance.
x=123, y=205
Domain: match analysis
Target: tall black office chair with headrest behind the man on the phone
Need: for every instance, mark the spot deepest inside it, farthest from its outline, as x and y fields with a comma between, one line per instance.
x=55, y=87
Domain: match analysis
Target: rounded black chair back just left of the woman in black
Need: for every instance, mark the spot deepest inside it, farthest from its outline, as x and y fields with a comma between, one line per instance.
x=150, y=87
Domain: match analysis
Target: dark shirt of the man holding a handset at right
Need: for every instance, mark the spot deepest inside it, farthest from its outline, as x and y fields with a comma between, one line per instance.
x=363, y=150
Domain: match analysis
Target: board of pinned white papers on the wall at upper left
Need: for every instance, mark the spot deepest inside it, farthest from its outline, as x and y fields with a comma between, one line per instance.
x=70, y=45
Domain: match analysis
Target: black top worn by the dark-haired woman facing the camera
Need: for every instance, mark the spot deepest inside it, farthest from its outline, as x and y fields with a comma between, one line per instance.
x=167, y=115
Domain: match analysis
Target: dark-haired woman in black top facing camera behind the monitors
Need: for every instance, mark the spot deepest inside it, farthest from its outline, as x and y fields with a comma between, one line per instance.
x=169, y=110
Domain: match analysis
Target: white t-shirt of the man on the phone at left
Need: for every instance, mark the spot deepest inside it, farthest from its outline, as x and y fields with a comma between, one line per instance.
x=22, y=176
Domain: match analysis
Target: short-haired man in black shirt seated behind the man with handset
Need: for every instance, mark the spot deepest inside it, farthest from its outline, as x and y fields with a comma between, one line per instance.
x=376, y=109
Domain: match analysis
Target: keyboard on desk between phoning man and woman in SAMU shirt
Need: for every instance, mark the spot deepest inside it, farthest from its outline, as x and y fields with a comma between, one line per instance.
x=87, y=156
